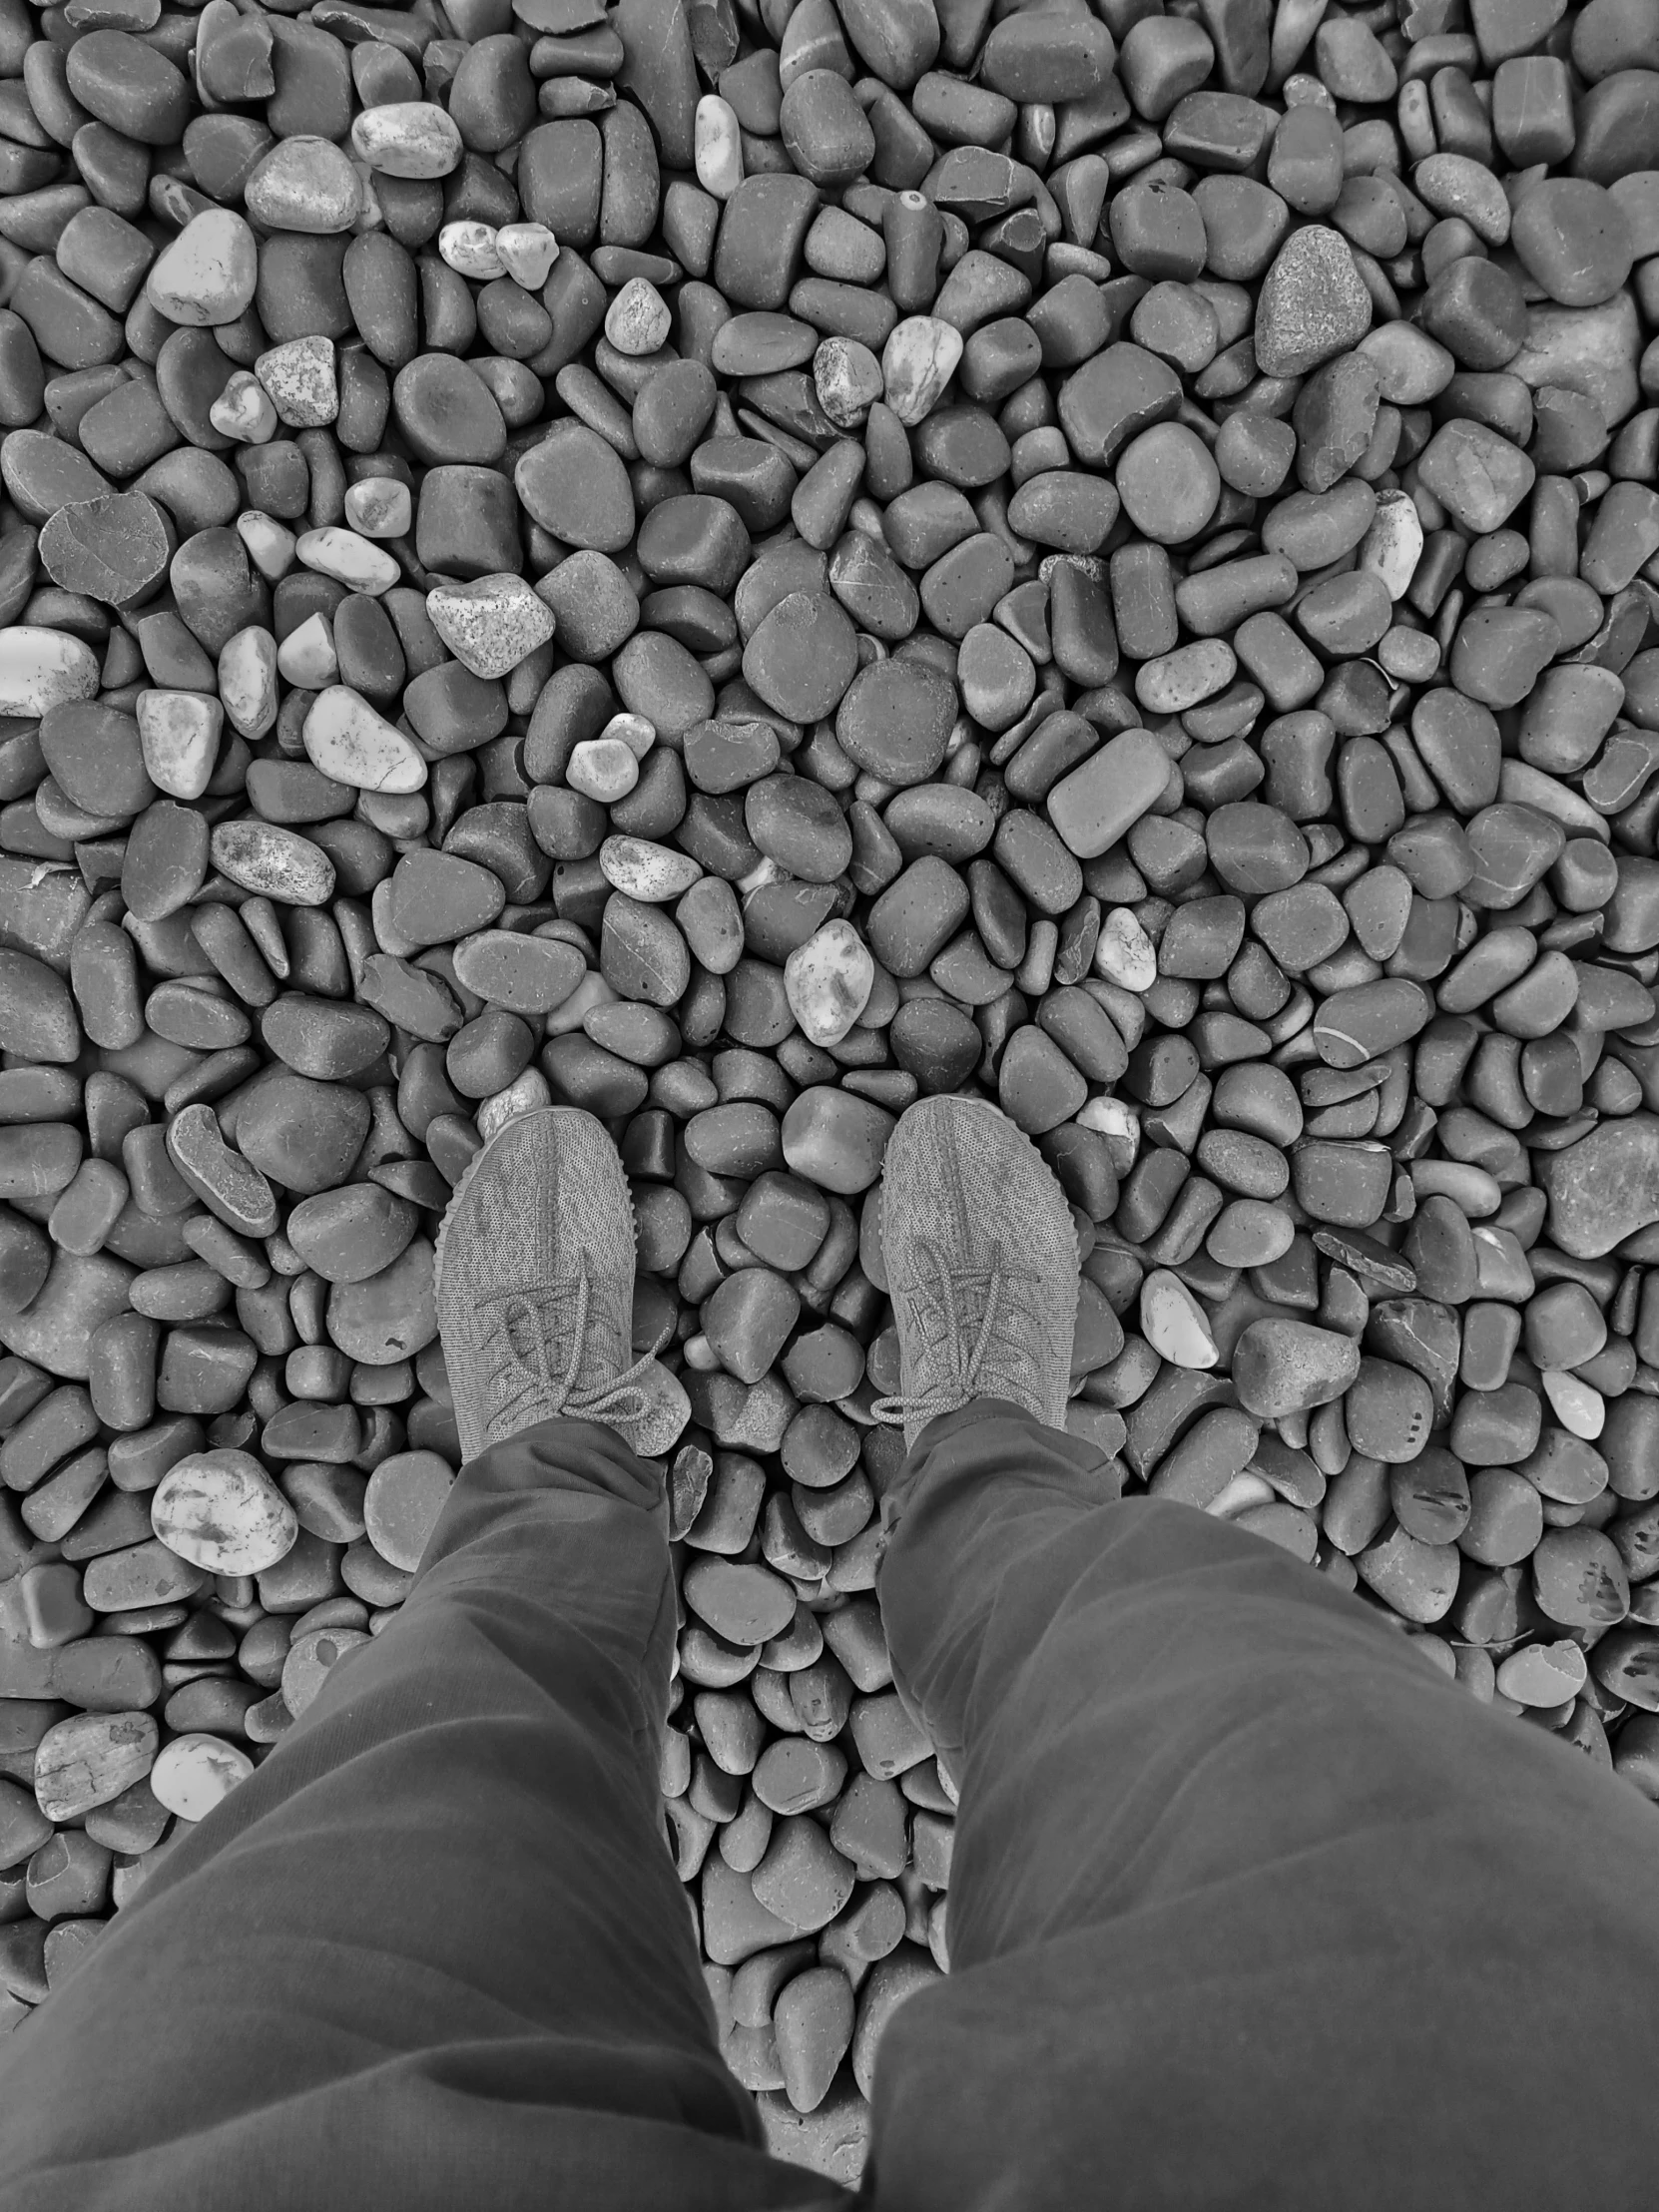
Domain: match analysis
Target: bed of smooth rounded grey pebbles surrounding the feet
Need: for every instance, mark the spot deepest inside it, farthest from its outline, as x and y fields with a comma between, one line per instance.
x=738, y=565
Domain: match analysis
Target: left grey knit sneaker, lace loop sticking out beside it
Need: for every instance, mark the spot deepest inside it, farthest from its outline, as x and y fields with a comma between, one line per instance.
x=534, y=1288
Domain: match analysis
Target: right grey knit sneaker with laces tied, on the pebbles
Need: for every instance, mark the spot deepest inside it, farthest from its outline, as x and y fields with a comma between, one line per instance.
x=983, y=1266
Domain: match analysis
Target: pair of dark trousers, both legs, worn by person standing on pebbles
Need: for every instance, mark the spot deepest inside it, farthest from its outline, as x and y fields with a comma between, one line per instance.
x=1249, y=1906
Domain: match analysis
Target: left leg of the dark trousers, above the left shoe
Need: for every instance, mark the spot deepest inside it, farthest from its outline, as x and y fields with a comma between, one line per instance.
x=435, y=1952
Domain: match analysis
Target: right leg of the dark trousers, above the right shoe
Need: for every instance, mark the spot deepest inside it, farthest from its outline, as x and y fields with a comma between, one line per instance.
x=1251, y=1908
